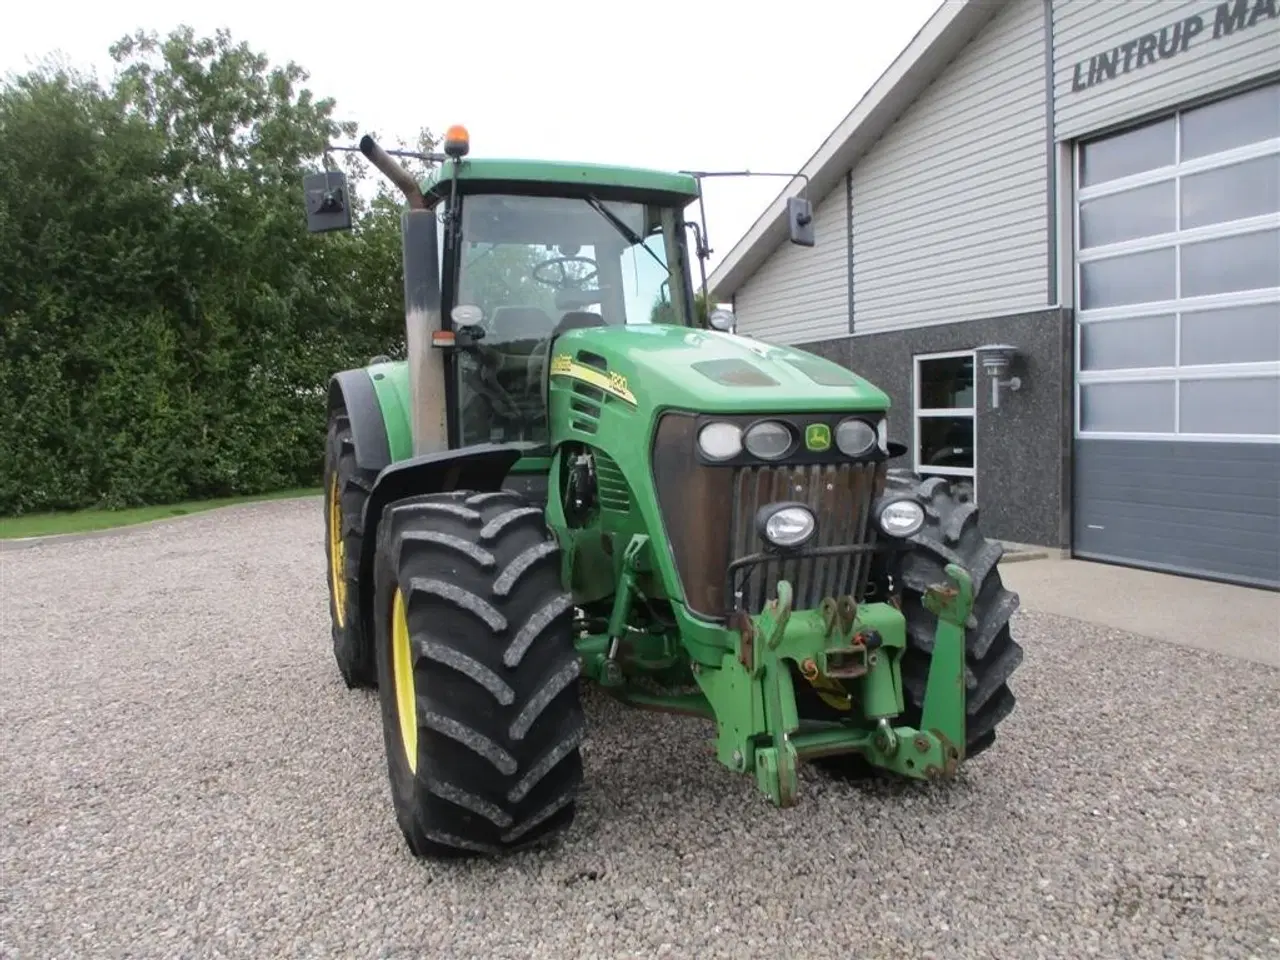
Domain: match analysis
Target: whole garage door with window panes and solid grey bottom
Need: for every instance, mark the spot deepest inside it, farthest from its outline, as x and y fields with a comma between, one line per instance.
x=1178, y=342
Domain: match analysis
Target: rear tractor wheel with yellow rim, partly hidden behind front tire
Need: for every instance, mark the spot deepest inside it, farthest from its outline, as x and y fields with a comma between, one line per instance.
x=348, y=488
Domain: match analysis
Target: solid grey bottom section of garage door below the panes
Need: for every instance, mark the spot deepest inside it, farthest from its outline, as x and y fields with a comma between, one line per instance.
x=1203, y=509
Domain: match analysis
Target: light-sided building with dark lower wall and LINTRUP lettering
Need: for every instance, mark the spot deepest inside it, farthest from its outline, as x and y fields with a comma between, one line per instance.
x=1098, y=184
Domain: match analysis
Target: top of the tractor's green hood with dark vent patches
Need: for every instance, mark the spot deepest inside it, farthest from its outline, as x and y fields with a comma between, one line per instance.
x=717, y=373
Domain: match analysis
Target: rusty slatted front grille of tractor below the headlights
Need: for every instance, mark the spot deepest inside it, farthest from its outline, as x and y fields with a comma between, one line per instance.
x=840, y=495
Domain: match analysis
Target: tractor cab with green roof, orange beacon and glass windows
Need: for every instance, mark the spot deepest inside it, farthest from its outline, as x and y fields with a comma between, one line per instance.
x=502, y=257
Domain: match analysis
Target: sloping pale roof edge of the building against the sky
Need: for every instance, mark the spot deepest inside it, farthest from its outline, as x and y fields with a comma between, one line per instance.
x=934, y=47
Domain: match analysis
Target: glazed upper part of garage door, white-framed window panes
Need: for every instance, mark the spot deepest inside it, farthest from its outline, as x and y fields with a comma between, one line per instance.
x=1178, y=276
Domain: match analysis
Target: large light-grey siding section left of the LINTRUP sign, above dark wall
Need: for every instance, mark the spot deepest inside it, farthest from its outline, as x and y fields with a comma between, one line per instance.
x=950, y=209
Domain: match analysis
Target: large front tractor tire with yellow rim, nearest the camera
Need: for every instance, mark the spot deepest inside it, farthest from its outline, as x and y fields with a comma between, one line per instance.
x=469, y=597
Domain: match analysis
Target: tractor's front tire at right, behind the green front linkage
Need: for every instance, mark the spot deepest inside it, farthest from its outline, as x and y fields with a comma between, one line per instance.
x=950, y=536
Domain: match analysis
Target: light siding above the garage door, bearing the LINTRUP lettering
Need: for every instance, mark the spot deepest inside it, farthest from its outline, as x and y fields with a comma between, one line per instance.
x=1084, y=29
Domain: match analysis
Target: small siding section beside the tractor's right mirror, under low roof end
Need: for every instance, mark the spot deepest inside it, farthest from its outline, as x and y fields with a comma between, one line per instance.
x=802, y=294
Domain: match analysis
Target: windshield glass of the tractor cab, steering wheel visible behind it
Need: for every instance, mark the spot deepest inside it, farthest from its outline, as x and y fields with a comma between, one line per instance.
x=531, y=267
